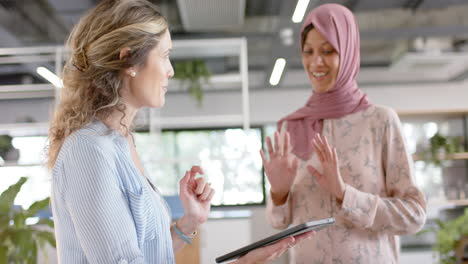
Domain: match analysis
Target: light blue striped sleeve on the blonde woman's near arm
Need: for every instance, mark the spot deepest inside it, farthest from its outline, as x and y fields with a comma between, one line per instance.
x=98, y=208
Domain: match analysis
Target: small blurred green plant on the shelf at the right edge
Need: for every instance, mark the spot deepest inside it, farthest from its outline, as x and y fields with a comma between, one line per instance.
x=441, y=146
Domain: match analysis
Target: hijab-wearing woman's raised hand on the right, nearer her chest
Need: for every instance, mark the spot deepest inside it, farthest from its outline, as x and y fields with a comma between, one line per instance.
x=331, y=178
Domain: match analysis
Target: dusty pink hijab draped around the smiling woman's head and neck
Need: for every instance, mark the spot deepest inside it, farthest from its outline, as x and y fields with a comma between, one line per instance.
x=338, y=25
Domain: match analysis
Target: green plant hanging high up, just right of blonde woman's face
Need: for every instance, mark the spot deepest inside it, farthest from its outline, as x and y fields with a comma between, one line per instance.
x=192, y=71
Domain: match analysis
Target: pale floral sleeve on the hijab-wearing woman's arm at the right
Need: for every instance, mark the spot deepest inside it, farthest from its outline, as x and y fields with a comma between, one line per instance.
x=404, y=210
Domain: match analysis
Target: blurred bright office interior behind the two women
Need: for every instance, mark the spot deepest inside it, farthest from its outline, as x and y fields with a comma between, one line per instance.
x=248, y=74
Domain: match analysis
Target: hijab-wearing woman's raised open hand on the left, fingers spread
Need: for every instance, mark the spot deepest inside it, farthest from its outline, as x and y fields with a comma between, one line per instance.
x=281, y=169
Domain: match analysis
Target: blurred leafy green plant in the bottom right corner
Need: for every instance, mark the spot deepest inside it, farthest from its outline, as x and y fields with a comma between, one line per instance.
x=449, y=236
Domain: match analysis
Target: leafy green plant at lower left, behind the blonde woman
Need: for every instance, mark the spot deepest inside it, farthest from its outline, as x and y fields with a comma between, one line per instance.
x=18, y=241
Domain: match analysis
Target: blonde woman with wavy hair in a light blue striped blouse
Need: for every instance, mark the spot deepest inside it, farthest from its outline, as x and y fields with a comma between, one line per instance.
x=105, y=208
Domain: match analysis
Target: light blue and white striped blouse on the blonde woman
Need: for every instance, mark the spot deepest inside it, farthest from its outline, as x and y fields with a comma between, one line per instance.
x=104, y=211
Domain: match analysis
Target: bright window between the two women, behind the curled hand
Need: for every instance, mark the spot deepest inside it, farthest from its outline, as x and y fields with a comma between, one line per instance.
x=230, y=159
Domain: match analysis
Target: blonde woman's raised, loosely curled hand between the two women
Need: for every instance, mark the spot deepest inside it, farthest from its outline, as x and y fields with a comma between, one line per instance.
x=195, y=195
